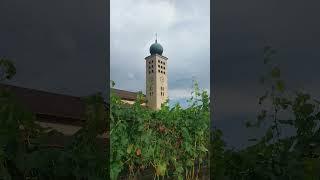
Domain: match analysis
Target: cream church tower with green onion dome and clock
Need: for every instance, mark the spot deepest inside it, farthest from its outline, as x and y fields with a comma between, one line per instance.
x=156, y=77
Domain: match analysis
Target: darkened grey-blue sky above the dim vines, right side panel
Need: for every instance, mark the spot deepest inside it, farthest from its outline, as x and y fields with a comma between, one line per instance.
x=241, y=30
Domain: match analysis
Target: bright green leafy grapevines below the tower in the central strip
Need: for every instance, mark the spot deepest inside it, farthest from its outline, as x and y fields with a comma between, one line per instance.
x=171, y=141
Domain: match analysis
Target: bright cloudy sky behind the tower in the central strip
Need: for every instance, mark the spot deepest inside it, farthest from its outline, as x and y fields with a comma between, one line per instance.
x=183, y=28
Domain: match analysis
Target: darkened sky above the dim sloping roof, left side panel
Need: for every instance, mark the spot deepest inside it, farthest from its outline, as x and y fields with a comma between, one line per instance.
x=58, y=46
